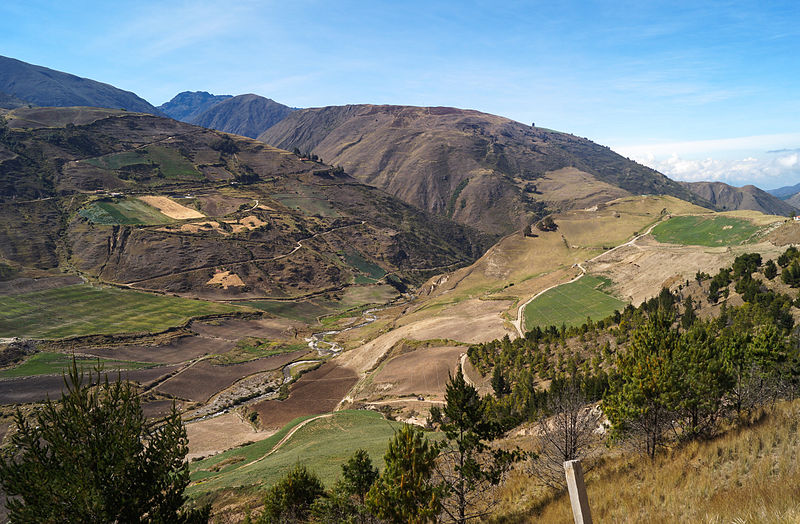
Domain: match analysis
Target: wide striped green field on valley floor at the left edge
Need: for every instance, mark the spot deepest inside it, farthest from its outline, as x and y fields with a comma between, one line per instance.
x=83, y=309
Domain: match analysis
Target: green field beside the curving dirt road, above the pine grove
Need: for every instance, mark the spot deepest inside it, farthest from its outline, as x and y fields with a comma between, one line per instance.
x=571, y=303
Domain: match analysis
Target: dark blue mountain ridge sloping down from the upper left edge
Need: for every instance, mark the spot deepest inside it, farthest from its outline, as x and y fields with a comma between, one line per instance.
x=45, y=87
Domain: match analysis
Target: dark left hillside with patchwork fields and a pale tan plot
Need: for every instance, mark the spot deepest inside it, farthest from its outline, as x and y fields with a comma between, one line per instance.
x=158, y=204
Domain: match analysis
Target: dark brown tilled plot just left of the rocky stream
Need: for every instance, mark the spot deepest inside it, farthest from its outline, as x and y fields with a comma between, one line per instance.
x=203, y=380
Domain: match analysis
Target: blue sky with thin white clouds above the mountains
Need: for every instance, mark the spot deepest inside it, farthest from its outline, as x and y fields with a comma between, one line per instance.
x=698, y=90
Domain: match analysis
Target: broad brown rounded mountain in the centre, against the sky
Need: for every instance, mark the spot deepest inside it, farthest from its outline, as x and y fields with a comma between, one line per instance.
x=482, y=170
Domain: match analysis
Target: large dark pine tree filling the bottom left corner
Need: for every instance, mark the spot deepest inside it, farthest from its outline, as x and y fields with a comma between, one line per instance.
x=93, y=457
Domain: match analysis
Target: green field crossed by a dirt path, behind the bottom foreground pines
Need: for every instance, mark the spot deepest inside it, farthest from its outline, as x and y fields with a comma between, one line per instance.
x=323, y=444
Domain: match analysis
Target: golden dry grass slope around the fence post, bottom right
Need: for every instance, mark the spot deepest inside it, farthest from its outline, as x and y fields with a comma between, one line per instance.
x=750, y=474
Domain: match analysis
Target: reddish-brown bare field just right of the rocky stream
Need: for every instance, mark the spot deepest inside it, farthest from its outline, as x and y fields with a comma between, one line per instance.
x=316, y=392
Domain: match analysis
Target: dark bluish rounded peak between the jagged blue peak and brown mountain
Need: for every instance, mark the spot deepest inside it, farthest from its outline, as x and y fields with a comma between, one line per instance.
x=246, y=115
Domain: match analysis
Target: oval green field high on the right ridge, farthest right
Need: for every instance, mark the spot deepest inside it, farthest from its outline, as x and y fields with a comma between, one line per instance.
x=705, y=231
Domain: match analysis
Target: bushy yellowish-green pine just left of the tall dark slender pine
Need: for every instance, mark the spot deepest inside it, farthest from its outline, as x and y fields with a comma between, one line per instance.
x=404, y=493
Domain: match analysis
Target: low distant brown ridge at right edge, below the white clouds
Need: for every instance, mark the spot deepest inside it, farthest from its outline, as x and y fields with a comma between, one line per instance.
x=729, y=198
